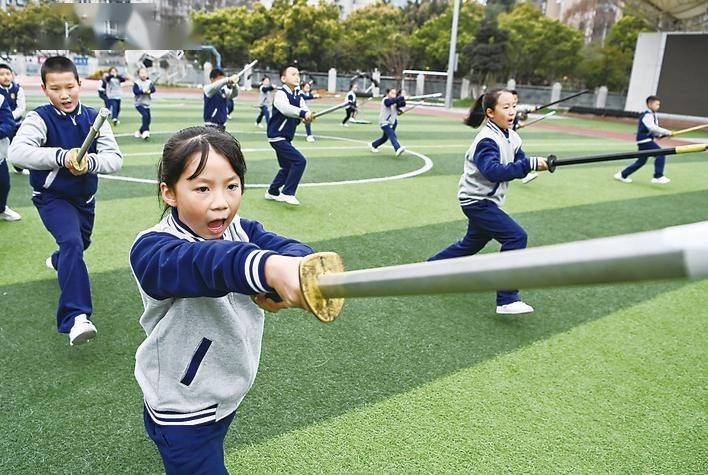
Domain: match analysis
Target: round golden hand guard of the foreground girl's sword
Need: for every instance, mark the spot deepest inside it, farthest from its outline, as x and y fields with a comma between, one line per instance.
x=311, y=268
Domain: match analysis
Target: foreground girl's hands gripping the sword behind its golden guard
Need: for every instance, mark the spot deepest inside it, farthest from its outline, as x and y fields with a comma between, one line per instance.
x=283, y=274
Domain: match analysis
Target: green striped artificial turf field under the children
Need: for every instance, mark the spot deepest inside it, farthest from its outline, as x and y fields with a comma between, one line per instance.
x=607, y=378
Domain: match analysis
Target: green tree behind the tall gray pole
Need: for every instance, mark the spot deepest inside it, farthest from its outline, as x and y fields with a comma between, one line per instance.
x=430, y=44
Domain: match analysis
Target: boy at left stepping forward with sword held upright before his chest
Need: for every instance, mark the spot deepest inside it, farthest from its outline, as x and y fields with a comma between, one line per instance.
x=64, y=190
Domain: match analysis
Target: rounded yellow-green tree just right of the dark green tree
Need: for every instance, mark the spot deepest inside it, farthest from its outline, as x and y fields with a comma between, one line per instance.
x=540, y=49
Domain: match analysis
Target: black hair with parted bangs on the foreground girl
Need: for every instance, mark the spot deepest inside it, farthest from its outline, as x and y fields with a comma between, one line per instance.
x=185, y=143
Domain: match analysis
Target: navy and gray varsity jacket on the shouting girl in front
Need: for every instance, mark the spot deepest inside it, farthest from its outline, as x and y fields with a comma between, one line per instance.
x=203, y=342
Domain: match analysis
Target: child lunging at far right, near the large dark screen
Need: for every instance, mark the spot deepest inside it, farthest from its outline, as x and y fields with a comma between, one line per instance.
x=648, y=129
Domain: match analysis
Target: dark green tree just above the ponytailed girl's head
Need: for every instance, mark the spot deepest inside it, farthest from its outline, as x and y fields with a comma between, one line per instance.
x=487, y=53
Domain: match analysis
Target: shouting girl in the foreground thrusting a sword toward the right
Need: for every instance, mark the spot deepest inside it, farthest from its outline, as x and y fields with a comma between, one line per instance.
x=204, y=328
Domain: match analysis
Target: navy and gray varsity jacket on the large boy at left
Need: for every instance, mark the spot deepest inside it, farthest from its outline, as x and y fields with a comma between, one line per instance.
x=43, y=140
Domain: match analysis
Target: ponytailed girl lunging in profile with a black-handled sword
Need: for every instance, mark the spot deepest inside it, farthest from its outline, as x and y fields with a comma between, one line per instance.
x=494, y=159
